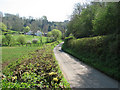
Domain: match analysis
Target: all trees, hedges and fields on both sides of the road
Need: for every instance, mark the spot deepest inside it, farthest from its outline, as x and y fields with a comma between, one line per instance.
x=91, y=36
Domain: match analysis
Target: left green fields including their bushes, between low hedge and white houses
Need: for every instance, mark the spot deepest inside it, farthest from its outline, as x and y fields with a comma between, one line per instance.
x=13, y=52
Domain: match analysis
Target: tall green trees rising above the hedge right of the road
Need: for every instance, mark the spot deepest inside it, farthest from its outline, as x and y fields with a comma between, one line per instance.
x=94, y=19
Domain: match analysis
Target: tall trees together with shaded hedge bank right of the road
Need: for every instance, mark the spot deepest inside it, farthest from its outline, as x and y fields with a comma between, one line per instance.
x=94, y=36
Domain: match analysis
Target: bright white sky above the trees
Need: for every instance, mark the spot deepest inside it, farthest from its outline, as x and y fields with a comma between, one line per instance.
x=55, y=10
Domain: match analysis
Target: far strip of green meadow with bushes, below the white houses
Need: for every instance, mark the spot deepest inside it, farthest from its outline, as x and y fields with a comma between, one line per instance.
x=13, y=38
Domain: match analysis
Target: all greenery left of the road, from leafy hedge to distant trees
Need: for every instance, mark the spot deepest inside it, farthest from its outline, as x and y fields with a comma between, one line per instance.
x=27, y=61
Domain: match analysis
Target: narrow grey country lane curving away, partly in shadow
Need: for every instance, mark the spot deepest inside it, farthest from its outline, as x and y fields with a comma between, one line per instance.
x=80, y=75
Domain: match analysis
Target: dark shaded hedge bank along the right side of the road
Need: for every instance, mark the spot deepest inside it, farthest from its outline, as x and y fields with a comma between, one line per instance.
x=101, y=52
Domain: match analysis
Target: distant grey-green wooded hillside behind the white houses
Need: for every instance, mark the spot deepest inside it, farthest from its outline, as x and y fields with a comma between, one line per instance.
x=17, y=23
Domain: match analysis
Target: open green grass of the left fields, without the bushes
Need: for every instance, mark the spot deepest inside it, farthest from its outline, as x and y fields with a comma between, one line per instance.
x=12, y=53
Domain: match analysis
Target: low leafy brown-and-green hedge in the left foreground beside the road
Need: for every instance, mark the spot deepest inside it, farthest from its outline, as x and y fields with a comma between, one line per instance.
x=39, y=71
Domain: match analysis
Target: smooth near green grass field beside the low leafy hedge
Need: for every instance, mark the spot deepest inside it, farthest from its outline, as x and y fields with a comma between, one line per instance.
x=13, y=53
